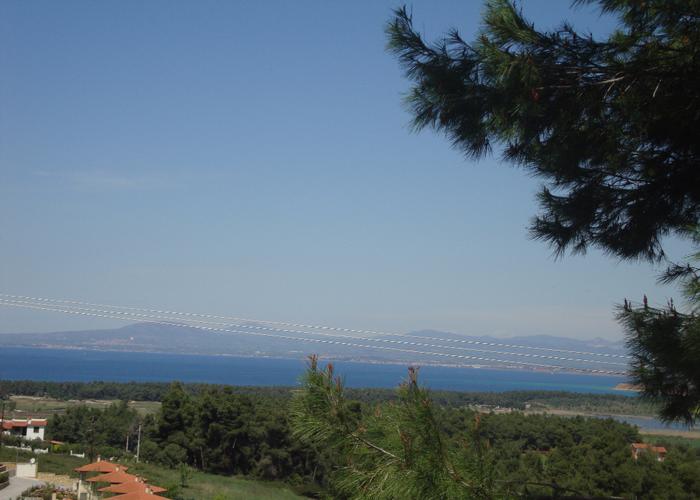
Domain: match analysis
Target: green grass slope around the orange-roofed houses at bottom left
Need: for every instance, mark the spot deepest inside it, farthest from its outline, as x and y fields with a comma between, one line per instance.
x=200, y=484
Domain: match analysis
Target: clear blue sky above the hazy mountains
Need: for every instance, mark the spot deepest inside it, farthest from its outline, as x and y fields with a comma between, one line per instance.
x=254, y=158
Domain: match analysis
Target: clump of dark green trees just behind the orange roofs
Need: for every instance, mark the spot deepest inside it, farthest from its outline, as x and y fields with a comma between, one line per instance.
x=219, y=430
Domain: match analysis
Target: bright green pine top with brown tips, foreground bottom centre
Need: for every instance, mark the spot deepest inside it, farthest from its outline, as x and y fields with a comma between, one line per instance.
x=395, y=450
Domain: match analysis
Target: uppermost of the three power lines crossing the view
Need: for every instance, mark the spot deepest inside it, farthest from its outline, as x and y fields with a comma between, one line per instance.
x=318, y=327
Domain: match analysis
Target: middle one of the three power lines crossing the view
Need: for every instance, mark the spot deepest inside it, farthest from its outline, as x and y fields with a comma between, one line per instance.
x=140, y=316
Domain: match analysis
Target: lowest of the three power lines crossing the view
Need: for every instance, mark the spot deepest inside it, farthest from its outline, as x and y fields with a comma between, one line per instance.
x=324, y=341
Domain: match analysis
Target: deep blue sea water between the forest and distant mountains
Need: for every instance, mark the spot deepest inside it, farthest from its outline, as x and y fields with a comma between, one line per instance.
x=61, y=365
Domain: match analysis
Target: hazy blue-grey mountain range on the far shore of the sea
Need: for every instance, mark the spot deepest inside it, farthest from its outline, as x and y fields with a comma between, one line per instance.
x=420, y=347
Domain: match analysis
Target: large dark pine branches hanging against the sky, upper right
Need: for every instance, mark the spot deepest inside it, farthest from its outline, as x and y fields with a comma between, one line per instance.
x=612, y=126
